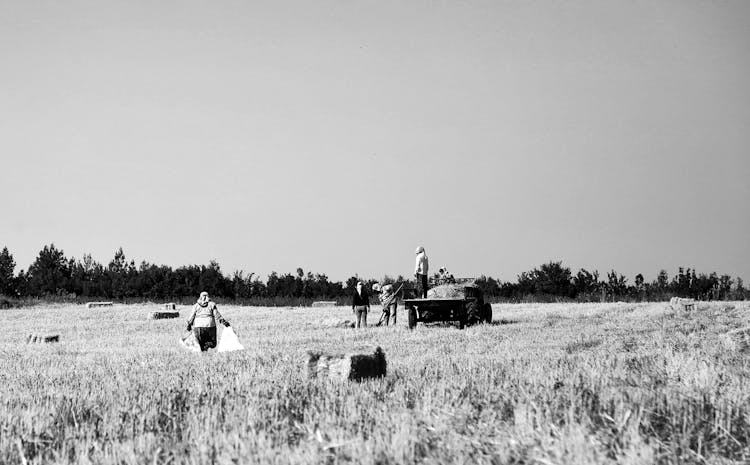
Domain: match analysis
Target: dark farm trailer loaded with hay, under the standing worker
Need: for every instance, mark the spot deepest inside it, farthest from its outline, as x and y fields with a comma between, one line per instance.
x=462, y=303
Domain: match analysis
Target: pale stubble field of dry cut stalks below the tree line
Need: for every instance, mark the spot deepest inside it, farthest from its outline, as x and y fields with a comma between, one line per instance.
x=544, y=384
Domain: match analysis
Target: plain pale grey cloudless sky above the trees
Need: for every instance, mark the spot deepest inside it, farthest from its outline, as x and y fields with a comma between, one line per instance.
x=337, y=136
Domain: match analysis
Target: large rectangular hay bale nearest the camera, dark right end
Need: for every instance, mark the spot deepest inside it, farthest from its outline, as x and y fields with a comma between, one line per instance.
x=356, y=365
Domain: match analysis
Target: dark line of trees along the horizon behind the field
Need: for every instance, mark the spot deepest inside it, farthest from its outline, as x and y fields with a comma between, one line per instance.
x=54, y=277
